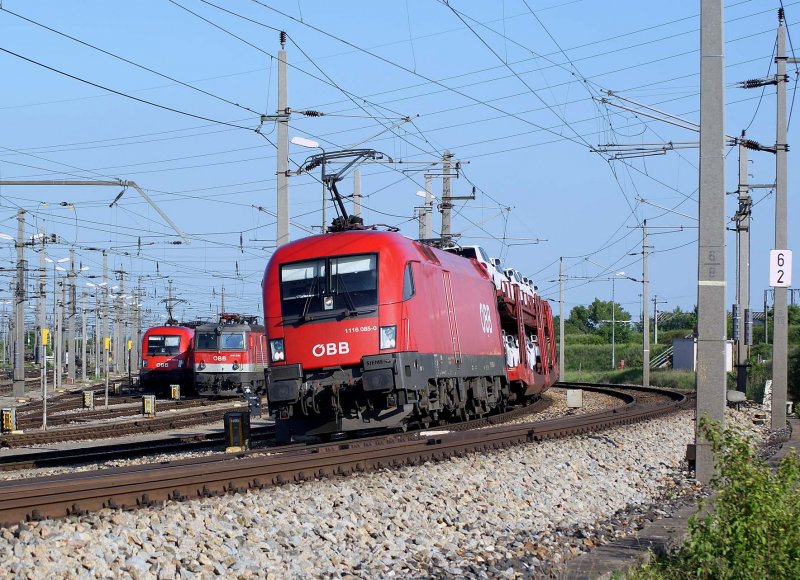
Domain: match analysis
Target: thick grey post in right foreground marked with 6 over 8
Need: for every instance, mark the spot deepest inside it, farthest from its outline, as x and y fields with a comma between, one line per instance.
x=711, y=311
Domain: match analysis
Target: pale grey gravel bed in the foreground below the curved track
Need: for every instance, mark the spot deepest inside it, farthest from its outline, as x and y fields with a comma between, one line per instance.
x=510, y=513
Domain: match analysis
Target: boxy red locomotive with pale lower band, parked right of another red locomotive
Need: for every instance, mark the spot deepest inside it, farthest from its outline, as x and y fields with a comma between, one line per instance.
x=230, y=356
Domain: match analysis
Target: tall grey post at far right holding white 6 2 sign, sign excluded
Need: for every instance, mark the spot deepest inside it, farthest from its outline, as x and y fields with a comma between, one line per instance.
x=780, y=313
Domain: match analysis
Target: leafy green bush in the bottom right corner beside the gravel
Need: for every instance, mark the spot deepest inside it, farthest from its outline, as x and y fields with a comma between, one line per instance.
x=752, y=530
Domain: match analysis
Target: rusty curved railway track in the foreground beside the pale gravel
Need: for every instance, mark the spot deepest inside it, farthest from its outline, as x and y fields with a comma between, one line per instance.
x=139, y=485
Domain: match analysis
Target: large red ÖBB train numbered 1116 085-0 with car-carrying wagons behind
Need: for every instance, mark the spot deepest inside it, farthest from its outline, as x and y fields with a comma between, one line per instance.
x=371, y=330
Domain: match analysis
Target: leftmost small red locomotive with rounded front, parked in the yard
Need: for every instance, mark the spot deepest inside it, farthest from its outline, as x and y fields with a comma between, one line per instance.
x=167, y=358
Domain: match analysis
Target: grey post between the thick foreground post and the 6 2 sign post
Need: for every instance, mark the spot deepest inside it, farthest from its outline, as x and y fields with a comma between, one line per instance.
x=742, y=267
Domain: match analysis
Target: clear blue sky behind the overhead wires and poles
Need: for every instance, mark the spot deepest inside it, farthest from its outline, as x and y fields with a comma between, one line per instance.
x=510, y=87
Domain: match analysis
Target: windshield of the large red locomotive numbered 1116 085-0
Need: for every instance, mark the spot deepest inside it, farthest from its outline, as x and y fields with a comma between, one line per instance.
x=335, y=285
